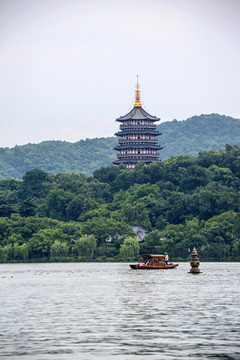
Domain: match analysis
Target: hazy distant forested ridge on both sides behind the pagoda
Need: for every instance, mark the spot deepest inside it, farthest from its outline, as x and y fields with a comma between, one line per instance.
x=191, y=136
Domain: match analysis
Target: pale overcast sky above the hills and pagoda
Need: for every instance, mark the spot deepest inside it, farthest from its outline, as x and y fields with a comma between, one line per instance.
x=68, y=67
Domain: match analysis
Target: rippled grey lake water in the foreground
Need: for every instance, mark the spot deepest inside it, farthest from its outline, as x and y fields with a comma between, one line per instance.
x=75, y=311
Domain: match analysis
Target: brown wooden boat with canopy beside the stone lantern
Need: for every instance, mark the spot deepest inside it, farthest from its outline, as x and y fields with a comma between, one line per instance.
x=153, y=262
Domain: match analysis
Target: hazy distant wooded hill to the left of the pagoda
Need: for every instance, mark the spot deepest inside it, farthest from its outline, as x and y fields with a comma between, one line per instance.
x=57, y=156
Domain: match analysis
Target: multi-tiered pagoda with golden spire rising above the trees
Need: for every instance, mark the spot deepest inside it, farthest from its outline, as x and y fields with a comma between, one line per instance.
x=137, y=136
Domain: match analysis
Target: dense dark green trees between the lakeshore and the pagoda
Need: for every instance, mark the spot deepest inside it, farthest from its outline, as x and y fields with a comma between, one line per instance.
x=182, y=202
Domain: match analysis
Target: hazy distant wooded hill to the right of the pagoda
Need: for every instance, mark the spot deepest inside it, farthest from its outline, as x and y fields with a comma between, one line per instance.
x=199, y=133
